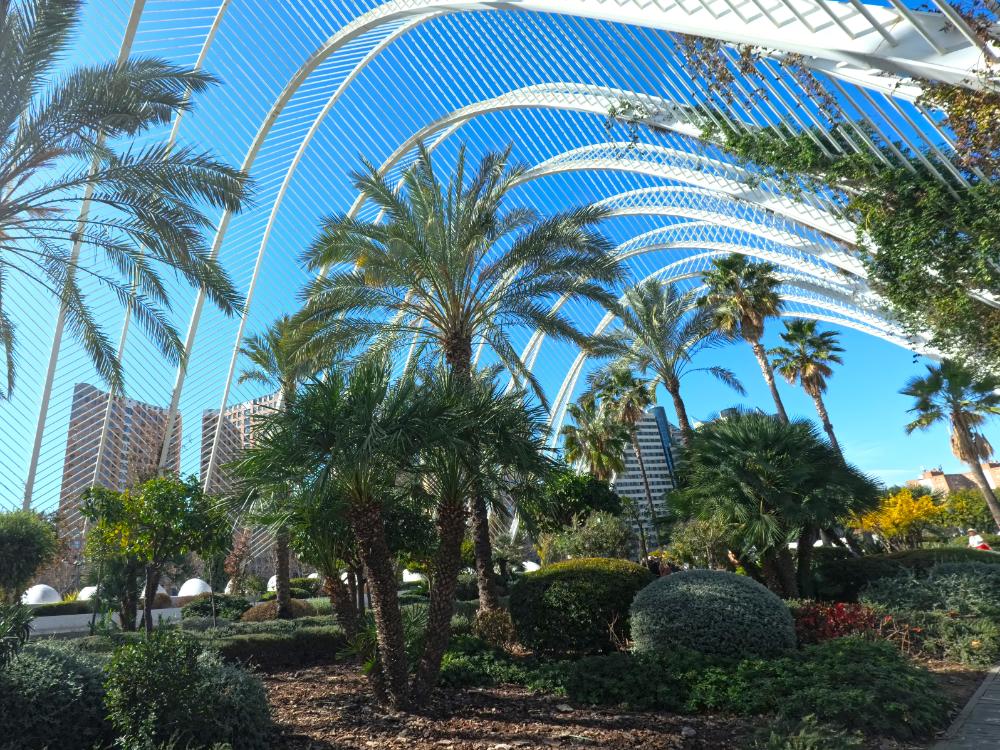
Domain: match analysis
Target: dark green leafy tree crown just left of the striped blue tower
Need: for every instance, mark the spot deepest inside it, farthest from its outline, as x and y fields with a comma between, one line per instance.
x=565, y=496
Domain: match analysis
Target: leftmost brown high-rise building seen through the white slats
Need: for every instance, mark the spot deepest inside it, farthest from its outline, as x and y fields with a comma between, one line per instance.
x=133, y=441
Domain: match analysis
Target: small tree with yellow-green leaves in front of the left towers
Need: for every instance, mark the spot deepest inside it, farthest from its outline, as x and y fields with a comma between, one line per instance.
x=157, y=521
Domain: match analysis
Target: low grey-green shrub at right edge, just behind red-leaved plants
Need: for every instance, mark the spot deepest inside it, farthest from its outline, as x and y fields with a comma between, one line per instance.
x=963, y=588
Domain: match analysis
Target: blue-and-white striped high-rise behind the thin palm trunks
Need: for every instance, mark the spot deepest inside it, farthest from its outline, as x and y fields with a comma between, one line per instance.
x=656, y=440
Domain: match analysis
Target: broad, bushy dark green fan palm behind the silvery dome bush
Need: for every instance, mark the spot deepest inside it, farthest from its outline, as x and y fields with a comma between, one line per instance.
x=774, y=482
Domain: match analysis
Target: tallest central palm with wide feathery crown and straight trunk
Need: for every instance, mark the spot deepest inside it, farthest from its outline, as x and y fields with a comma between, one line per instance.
x=453, y=267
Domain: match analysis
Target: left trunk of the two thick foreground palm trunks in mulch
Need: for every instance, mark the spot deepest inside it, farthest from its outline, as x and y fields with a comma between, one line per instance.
x=377, y=558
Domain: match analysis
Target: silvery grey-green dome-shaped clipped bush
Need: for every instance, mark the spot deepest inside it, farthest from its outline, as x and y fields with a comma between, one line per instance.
x=713, y=612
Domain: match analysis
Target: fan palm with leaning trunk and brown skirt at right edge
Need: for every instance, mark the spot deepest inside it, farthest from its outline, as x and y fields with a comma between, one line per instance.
x=951, y=392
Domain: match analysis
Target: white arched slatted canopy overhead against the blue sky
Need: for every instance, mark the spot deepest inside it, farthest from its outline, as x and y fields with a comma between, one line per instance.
x=311, y=86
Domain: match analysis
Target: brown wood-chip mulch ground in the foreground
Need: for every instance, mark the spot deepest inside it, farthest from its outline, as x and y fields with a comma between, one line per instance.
x=328, y=707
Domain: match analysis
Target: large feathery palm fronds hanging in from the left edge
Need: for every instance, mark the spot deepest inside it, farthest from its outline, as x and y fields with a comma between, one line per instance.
x=144, y=207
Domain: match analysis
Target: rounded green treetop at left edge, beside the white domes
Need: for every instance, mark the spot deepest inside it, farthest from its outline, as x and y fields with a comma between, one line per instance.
x=27, y=543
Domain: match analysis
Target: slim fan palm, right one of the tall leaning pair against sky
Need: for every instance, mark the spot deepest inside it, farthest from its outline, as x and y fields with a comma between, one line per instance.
x=807, y=359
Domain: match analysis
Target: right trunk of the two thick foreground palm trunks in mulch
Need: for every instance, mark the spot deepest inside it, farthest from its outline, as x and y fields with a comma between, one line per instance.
x=444, y=572
